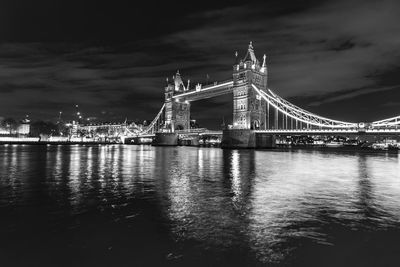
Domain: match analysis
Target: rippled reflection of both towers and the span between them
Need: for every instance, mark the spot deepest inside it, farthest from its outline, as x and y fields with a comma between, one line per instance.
x=207, y=195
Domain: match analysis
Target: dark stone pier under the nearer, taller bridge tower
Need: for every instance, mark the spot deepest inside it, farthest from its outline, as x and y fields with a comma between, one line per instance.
x=244, y=138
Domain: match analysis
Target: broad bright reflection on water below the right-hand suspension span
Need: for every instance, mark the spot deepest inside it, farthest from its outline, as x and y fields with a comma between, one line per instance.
x=298, y=195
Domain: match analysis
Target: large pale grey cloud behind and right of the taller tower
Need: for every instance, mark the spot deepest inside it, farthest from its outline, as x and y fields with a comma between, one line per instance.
x=322, y=49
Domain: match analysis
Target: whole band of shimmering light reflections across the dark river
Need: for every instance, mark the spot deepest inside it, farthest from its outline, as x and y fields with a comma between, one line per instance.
x=262, y=201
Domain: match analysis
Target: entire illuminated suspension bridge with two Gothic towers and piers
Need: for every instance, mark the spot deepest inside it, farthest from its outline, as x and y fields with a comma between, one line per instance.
x=259, y=113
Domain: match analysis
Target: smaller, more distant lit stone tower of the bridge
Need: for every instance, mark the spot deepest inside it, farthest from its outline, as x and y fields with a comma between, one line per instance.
x=177, y=112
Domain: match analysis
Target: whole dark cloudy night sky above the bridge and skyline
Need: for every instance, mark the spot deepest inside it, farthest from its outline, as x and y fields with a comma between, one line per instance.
x=339, y=59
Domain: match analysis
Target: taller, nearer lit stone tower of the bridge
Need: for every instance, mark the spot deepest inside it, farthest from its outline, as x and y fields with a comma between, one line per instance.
x=249, y=111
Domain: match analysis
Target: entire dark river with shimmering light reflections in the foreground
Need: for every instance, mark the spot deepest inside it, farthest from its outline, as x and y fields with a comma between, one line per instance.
x=120, y=205
